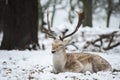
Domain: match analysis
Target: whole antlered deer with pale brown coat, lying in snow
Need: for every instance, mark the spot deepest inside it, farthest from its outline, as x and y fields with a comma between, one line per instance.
x=74, y=62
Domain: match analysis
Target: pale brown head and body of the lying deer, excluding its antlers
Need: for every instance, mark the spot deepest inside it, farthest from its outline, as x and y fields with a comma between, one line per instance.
x=76, y=62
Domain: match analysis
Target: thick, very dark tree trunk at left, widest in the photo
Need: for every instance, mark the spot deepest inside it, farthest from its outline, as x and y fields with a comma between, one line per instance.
x=21, y=25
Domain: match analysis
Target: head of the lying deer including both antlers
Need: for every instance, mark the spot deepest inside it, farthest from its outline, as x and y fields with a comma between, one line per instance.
x=59, y=43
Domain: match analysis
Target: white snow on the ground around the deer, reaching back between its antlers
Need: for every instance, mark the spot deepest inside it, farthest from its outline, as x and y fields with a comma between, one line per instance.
x=37, y=64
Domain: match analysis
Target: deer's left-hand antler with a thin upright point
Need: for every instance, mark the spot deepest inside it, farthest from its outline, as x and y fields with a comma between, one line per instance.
x=49, y=31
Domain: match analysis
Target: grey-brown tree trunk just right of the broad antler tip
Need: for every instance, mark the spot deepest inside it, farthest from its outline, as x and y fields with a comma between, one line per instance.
x=87, y=8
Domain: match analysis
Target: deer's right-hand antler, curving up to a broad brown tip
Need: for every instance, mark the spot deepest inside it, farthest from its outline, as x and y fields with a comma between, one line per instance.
x=80, y=19
